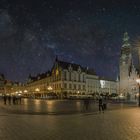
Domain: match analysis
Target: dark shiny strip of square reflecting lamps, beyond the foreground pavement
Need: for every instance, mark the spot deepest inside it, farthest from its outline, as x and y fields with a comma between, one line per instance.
x=42, y=107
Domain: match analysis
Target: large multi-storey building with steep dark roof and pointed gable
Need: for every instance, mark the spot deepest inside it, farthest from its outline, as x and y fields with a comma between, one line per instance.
x=69, y=79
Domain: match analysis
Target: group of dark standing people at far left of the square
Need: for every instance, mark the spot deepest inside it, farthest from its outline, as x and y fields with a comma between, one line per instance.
x=11, y=99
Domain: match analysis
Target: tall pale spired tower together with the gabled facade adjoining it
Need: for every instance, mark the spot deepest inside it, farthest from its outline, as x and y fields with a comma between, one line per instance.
x=128, y=73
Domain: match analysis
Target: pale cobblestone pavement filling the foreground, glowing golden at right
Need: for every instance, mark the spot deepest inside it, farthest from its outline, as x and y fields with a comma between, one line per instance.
x=121, y=124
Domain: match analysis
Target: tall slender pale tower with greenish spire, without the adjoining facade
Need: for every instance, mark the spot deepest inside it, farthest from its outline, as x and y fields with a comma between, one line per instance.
x=125, y=64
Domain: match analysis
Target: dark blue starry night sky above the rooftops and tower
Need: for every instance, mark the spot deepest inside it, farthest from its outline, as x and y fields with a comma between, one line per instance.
x=86, y=32
